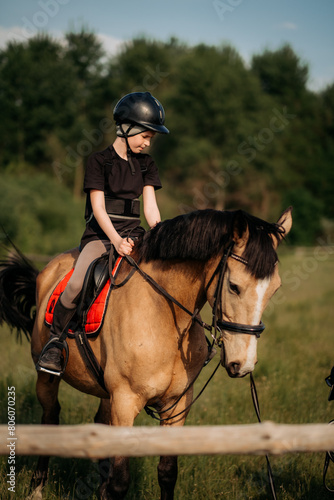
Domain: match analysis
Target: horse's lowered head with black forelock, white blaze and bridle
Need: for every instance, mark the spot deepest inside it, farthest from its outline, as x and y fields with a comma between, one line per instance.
x=250, y=279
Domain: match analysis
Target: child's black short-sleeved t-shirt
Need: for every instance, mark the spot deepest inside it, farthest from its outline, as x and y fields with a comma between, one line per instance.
x=108, y=172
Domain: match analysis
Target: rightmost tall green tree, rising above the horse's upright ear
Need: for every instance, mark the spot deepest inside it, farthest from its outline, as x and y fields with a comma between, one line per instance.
x=305, y=144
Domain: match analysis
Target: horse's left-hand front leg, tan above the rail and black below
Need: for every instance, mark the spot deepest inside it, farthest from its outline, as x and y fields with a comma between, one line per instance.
x=124, y=409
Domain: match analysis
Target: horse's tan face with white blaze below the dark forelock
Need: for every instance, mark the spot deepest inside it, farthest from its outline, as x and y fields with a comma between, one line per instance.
x=244, y=299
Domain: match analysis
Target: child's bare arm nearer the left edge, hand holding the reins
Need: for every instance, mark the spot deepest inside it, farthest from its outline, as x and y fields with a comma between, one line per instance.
x=123, y=245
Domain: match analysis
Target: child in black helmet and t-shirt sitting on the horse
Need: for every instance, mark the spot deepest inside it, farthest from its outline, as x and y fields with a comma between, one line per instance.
x=114, y=180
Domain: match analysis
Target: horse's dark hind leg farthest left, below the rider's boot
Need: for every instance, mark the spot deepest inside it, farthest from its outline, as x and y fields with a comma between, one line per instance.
x=47, y=394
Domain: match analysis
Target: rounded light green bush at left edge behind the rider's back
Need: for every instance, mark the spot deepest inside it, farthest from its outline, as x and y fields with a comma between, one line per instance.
x=39, y=214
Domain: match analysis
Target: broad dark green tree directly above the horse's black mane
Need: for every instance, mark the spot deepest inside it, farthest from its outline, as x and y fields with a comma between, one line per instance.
x=216, y=105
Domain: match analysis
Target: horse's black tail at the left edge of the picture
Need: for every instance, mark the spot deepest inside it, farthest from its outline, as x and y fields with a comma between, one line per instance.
x=18, y=293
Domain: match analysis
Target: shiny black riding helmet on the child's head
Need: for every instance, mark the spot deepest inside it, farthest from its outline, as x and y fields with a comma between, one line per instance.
x=140, y=108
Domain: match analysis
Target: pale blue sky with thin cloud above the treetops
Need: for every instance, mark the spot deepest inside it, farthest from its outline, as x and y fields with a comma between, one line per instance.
x=250, y=26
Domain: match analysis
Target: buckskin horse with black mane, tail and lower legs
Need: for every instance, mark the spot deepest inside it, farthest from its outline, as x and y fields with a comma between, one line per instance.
x=152, y=343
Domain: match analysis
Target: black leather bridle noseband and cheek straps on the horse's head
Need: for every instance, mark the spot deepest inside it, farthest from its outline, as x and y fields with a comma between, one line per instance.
x=220, y=324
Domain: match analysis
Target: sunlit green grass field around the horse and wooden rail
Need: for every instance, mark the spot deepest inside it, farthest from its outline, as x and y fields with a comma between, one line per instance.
x=296, y=353
